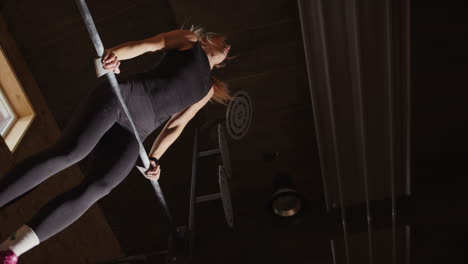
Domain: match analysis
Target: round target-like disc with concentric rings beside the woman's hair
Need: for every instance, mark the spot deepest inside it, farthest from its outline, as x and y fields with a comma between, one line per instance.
x=239, y=115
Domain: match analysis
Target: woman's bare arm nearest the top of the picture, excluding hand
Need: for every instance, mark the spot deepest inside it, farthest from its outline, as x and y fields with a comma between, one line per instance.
x=175, y=39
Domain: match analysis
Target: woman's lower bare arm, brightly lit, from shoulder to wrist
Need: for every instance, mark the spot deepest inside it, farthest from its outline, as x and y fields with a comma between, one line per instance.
x=175, y=125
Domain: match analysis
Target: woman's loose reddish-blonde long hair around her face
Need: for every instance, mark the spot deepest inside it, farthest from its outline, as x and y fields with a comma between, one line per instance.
x=221, y=91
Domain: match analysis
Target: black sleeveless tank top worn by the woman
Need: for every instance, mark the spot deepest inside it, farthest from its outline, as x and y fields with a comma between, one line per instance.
x=179, y=80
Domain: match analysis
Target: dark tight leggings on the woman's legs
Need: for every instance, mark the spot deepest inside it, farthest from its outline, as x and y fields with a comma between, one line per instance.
x=92, y=125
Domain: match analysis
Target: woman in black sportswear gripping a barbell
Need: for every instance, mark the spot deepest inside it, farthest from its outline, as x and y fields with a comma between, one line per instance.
x=176, y=89
